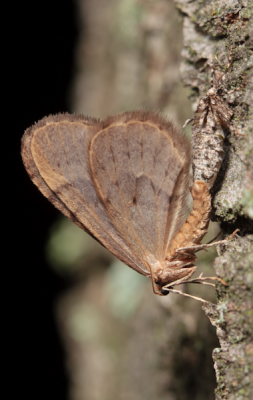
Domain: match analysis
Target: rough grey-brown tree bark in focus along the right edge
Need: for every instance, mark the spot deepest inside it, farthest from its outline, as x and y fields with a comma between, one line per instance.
x=211, y=28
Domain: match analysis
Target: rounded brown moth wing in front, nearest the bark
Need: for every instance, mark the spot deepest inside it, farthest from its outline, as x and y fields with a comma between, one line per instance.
x=140, y=167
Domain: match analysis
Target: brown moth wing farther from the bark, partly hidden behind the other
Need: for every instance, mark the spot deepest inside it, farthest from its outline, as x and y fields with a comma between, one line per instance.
x=55, y=152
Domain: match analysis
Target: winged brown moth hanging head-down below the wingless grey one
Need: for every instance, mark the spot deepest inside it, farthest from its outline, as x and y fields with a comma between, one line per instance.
x=125, y=181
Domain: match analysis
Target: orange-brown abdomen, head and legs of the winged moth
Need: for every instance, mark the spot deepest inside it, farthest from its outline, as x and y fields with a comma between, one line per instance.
x=180, y=256
